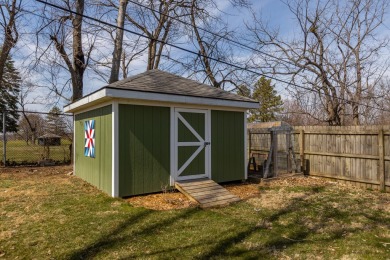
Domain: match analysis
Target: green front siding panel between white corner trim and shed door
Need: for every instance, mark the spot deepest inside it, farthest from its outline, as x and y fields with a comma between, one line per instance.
x=144, y=149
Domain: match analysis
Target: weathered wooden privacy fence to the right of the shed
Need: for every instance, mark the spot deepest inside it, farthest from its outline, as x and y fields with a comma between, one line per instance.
x=353, y=154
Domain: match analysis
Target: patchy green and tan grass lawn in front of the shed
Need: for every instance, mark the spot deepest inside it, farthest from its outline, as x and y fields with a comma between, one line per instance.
x=53, y=215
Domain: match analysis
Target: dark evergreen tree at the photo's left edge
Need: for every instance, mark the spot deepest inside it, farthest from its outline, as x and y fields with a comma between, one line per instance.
x=9, y=93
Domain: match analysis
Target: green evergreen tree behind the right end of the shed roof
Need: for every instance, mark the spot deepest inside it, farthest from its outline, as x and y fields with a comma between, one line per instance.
x=270, y=102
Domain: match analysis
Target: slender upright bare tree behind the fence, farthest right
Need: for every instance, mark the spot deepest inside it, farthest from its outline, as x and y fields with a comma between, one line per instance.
x=354, y=30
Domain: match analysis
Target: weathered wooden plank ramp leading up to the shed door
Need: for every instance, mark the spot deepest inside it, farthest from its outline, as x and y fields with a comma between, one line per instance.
x=206, y=192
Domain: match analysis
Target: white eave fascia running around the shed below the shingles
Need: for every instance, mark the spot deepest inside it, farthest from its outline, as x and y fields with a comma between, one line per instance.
x=108, y=93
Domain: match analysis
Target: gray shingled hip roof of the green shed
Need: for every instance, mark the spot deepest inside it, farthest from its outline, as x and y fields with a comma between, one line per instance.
x=158, y=81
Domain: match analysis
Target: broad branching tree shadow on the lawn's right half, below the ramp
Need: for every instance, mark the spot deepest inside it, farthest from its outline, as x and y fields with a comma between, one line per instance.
x=298, y=231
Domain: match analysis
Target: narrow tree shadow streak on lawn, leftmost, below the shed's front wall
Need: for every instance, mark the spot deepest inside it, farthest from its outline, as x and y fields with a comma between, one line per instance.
x=114, y=238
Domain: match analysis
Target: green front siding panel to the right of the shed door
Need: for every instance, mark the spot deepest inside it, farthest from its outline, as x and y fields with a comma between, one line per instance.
x=227, y=146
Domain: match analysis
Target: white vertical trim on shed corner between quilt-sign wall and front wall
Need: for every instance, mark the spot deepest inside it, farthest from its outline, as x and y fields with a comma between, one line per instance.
x=115, y=151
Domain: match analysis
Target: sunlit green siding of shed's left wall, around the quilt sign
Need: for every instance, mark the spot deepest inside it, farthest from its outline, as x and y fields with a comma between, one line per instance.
x=98, y=170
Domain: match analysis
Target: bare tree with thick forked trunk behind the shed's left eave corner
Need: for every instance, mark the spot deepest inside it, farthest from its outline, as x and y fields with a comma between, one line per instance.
x=64, y=45
